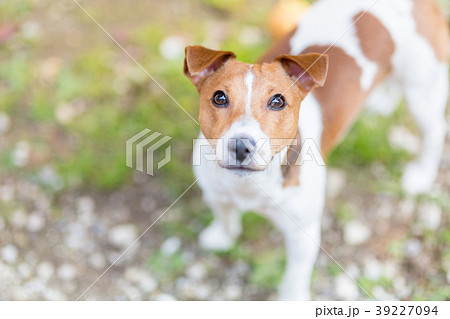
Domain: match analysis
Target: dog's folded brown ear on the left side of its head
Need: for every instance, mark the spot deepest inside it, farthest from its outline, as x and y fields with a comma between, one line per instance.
x=201, y=62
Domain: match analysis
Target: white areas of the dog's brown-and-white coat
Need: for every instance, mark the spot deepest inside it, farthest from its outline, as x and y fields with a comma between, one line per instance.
x=416, y=72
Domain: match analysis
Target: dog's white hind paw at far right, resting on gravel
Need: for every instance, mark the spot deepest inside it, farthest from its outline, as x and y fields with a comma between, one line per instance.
x=417, y=179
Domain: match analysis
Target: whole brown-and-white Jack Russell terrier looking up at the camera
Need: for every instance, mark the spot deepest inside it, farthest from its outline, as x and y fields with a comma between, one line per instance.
x=255, y=118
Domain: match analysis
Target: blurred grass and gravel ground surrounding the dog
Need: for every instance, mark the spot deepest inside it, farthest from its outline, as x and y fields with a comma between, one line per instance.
x=69, y=206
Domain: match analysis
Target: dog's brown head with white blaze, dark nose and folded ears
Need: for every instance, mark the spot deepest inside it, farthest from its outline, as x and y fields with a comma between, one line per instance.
x=249, y=113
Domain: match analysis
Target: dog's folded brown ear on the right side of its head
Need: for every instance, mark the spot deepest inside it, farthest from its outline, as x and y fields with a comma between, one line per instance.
x=308, y=70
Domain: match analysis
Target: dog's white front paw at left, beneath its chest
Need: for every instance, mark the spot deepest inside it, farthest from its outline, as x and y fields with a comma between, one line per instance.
x=214, y=237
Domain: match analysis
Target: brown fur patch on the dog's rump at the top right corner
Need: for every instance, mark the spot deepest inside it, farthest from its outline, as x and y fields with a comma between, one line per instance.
x=432, y=25
